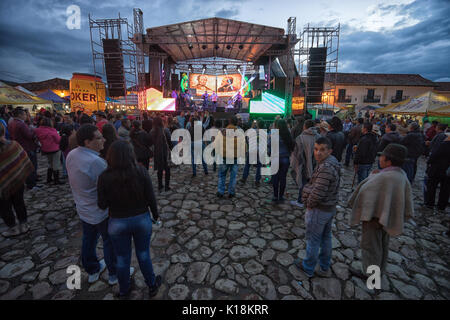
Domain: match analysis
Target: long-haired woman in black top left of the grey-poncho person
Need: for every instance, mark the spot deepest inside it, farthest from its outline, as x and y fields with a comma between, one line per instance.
x=286, y=146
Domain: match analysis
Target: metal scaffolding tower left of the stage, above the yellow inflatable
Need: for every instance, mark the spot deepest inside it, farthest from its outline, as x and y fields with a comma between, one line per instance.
x=101, y=29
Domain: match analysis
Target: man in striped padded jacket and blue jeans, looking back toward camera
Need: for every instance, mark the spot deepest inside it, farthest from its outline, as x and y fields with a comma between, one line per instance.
x=320, y=196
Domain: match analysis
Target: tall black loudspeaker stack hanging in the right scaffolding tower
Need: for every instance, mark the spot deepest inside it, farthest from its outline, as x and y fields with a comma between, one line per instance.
x=316, y=74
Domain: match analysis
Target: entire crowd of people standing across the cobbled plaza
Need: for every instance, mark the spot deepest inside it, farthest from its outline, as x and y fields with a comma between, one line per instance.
x=106, y=159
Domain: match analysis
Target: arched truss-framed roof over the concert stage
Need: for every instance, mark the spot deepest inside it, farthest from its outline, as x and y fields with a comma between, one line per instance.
x=215, y=37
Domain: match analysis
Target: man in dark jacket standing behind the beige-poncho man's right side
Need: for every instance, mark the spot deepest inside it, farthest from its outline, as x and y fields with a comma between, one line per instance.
x=414, y=141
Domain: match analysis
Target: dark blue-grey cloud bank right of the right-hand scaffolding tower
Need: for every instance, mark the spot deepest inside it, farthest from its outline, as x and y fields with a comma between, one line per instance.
x=422, y=48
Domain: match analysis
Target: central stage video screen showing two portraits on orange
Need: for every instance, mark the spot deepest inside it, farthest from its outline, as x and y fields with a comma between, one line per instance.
x=224, y=85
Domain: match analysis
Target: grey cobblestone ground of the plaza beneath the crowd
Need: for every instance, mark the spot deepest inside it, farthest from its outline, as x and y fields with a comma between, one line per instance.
x=207, y=248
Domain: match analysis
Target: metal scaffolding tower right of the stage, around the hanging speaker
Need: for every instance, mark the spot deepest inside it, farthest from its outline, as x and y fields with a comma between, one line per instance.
x=319, y=37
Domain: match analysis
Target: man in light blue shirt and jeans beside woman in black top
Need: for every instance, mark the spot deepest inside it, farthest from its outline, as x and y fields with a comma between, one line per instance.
x=84, y=166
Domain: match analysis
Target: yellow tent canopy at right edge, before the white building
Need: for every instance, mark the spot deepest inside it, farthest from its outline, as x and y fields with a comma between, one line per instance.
x=428, y=103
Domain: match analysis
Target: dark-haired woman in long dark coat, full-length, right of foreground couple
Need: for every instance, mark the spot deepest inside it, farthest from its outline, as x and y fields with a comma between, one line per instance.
x=161, y=153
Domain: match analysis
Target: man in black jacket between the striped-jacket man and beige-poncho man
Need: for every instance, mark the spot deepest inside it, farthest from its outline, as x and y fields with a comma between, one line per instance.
x=366, y=152
